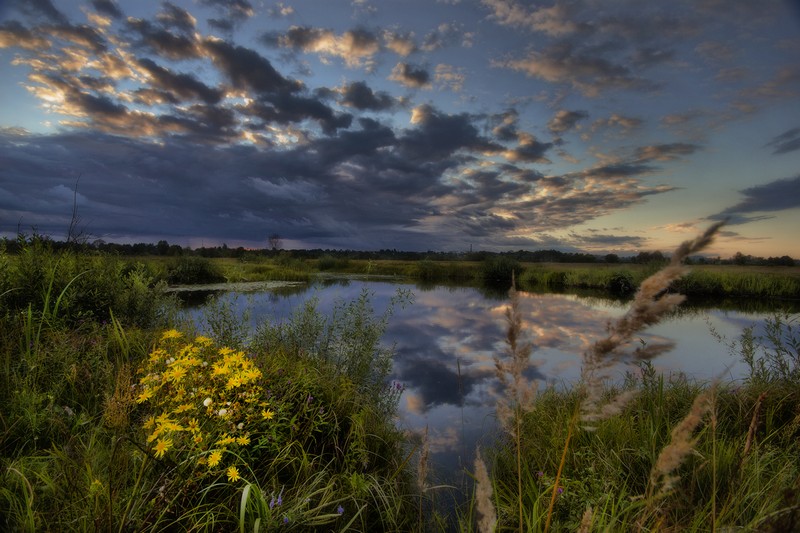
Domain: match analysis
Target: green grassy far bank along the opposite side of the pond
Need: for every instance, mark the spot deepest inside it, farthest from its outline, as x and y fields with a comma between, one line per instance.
x=709, y=281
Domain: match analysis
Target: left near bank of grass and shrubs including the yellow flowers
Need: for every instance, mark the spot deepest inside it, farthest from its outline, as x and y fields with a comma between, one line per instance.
x=117, y=417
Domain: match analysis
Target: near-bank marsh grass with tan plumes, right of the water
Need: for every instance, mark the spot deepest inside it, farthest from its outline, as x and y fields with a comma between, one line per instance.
x=656, y=452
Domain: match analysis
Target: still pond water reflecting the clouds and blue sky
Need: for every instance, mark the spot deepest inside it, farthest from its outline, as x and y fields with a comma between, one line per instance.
x=446, y=340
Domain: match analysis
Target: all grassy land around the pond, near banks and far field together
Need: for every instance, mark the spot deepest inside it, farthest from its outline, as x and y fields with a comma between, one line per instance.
x=117, y=415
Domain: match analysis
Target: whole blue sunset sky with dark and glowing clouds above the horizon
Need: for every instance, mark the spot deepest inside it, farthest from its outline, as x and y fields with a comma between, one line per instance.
x=603, y=126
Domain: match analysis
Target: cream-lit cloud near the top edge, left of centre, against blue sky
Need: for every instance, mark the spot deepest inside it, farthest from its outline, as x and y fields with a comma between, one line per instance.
x=355, y=47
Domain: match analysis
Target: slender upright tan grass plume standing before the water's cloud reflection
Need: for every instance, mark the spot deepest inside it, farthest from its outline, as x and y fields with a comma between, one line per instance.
x=519, y=392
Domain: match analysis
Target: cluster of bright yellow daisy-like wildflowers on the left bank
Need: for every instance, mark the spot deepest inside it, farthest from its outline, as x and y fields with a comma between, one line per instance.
x=208, y=401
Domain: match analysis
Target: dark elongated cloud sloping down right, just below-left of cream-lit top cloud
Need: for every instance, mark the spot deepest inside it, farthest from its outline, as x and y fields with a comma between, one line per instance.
x=247, y=69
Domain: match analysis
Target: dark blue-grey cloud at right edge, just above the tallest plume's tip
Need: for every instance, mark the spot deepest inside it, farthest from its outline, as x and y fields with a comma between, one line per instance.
x=767, y=198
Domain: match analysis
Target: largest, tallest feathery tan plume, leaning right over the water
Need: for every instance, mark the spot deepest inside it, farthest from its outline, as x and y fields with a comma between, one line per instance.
x=650, y=304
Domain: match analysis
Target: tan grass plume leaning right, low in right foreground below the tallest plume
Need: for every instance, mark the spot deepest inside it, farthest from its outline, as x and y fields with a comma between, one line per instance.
x=681, y=442
